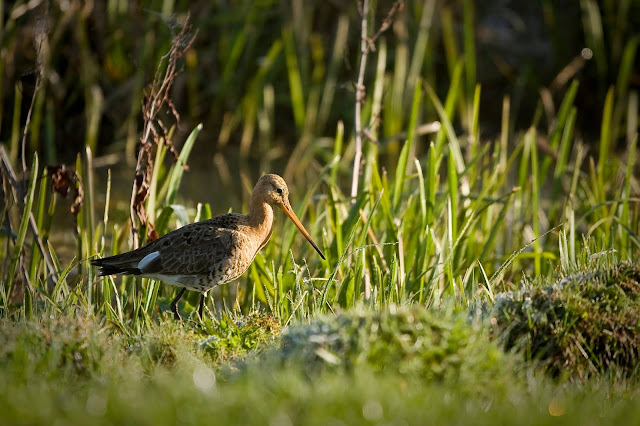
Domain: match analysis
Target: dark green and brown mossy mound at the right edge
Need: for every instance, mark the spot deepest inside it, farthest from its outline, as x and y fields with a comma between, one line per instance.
x=585, y=324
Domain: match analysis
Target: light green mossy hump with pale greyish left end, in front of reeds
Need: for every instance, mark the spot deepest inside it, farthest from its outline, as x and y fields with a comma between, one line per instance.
x=410, y=341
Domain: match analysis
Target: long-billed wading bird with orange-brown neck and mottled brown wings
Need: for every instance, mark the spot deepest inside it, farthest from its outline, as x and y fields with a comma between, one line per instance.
x=202, y=255
